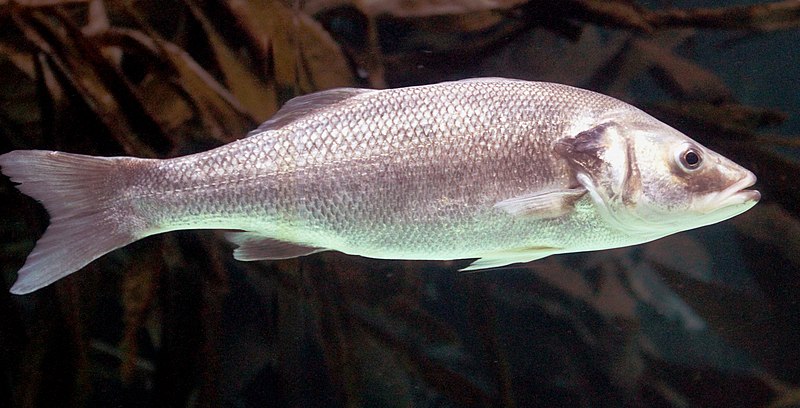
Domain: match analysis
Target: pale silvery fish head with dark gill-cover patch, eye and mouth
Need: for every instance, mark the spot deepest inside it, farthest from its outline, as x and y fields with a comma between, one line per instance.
x=649, y=180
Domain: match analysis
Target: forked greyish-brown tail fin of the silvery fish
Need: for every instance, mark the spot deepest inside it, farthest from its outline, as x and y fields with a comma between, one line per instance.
x=81, y=194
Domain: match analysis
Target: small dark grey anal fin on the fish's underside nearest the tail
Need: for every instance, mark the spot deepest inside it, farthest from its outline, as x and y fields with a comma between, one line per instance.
x=253, y=246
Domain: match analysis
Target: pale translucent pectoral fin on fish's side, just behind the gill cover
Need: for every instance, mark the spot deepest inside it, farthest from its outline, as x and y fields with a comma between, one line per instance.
x=548, y=204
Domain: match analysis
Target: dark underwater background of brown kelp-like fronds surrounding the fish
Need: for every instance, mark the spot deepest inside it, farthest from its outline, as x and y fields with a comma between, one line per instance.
x=708, y=317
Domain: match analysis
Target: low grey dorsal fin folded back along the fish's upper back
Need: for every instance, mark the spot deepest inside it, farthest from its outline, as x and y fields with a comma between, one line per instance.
x=303, y=105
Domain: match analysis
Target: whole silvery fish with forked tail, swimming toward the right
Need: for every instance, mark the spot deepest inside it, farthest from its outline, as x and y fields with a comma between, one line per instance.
x=502, y=171
